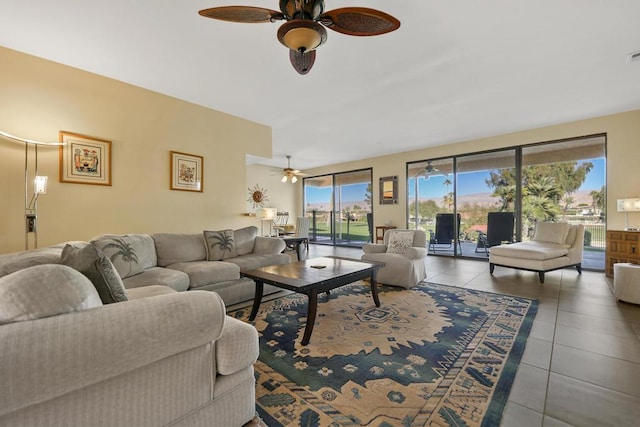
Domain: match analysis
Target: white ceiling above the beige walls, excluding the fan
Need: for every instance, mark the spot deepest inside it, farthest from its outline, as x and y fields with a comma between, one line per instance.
x=455, y=70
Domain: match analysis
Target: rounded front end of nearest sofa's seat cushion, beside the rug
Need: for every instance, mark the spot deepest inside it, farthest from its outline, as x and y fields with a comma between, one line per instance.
x=237, y=348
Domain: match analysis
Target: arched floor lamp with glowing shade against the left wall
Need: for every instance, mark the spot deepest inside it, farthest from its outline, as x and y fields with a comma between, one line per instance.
x=37, y=183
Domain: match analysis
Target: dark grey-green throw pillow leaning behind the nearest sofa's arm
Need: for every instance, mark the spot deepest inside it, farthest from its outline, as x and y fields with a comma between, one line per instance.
x=93, y=263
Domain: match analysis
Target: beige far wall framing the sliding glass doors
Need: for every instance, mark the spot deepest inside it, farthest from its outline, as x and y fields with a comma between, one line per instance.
x=623, y=160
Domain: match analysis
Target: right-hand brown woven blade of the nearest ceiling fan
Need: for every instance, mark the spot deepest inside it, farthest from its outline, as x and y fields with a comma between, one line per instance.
x=359, y=21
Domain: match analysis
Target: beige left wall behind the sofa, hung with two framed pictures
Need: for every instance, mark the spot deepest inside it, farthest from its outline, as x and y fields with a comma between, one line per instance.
x=38, y=98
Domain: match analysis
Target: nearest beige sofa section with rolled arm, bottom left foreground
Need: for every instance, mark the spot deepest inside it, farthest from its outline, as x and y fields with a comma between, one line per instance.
x=66, y=359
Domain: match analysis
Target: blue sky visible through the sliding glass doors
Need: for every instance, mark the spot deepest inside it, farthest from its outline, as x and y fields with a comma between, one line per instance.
x=468, y=183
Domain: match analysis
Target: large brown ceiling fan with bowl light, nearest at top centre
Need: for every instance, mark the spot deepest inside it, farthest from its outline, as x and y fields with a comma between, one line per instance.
x=303, y=32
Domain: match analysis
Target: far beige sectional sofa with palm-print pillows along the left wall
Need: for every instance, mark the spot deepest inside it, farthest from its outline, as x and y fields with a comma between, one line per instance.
x=179, y=261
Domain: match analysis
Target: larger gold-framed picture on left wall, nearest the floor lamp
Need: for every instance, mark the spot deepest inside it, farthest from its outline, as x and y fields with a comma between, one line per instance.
x=84, y=159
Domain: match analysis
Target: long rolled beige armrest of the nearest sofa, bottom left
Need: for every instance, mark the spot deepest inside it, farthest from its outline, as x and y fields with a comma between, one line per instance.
x=49, y=357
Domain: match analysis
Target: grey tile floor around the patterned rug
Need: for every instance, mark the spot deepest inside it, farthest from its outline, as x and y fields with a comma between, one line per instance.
x=581, y=366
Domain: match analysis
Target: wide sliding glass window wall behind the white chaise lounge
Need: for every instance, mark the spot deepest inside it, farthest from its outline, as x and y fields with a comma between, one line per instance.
x=554, y=181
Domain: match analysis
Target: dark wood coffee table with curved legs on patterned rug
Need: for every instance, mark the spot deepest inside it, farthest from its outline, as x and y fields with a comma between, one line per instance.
x=305, y=278
